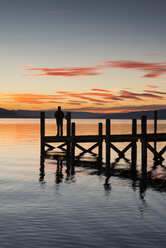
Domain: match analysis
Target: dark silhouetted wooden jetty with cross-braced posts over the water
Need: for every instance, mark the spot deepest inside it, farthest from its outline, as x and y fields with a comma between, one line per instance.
x=71, y=141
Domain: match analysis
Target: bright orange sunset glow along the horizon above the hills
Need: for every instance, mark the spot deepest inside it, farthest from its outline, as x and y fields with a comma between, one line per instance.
x=95, y=100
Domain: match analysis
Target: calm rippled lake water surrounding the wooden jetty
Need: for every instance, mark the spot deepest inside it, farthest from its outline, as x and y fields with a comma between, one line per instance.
x=77, y=210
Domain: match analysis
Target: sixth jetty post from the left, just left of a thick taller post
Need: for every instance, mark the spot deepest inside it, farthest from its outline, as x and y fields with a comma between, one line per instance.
x=134, y=145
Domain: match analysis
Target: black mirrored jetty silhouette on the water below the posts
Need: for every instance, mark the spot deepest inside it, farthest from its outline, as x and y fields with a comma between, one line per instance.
x=65, y=171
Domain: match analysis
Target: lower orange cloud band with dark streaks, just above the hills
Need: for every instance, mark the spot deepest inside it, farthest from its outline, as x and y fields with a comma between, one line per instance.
x=90, y=99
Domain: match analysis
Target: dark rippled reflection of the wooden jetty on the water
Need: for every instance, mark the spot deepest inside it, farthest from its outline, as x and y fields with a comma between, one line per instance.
x=140, y=181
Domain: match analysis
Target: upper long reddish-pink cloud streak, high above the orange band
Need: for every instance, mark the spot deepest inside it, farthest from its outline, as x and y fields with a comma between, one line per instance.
x=150, y=70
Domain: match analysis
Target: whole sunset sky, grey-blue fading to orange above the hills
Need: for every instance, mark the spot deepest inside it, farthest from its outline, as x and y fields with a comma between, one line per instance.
x=84, y=55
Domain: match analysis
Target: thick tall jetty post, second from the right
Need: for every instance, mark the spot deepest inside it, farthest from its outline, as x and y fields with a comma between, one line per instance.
x=144, y=146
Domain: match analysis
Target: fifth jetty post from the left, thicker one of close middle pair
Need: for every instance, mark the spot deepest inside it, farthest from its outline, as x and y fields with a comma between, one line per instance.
x=107, y=146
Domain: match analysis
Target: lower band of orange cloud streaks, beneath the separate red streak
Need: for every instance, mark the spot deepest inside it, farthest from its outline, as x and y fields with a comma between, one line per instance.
x=91, y=97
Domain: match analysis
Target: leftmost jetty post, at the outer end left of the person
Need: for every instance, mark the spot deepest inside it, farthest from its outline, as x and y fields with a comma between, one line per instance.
x=42, y=135
